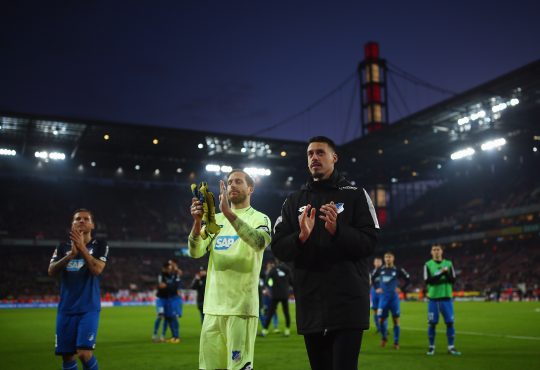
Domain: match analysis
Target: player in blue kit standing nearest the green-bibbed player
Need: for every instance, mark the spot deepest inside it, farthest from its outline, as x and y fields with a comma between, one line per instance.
x=389, y=276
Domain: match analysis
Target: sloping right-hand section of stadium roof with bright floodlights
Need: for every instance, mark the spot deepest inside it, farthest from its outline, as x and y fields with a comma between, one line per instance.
x=507, y=107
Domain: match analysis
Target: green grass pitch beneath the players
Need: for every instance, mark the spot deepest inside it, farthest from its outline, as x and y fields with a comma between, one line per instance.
x=490, y=335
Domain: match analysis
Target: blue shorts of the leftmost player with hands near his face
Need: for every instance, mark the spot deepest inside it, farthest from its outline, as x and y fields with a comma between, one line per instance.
x=78, y=331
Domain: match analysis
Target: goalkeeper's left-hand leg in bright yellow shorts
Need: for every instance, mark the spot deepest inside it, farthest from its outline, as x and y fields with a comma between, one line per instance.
x=212, y=345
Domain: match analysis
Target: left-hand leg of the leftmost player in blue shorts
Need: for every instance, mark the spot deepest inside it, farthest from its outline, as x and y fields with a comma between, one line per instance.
x=66, y=340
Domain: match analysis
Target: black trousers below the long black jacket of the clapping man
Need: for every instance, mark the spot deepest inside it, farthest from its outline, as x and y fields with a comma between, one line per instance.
x=337, y=350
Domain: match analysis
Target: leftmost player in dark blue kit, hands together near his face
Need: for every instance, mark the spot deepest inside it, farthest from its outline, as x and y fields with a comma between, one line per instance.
x=79, y=264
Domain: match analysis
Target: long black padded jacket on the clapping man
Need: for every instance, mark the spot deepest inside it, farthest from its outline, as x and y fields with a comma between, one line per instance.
x=331, y=273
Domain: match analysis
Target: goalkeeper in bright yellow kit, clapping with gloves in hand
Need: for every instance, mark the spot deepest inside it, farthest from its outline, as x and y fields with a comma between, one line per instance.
x=236, y=239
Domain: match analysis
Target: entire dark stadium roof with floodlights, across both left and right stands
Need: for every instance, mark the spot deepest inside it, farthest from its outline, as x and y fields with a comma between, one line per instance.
x=416, y=147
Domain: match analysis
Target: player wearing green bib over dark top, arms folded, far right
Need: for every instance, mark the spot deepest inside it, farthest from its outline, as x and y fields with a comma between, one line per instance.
x=439, y=275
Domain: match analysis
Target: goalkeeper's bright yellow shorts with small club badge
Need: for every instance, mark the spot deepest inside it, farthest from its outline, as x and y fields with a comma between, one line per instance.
x=227, y=342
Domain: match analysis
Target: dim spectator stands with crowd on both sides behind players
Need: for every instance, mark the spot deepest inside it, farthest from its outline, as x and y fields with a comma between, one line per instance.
x=36, y=209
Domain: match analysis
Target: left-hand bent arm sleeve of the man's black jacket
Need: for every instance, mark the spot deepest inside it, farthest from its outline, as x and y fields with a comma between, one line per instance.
x=286, y=244
